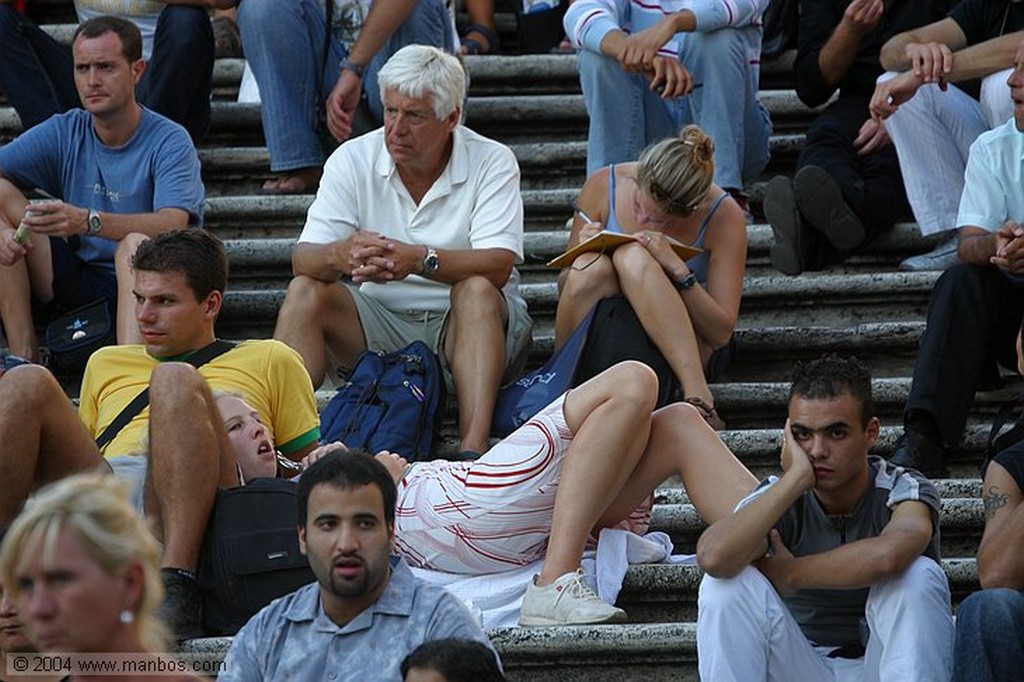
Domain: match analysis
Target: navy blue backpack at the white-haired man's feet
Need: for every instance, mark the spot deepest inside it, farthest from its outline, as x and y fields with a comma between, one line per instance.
x=392, y=402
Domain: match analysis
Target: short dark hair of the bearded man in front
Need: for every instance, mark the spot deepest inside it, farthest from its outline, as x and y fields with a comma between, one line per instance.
x=348, y=471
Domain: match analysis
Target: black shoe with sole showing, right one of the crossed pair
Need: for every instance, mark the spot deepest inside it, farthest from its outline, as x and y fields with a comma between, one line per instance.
x=821, y=201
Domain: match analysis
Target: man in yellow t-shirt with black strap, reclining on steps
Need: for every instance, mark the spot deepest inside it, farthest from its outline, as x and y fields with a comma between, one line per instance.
x=176, y=453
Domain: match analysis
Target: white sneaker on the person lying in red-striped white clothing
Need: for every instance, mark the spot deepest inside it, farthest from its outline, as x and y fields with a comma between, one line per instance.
x=567, y=602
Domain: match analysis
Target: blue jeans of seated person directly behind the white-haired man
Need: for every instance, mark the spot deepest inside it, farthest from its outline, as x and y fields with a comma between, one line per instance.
x=285, y=47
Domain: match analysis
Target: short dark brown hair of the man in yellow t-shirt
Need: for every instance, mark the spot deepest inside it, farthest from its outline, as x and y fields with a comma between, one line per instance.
x=196, y=253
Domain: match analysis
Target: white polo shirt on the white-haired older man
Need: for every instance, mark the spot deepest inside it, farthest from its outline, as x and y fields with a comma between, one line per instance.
x=476, y=204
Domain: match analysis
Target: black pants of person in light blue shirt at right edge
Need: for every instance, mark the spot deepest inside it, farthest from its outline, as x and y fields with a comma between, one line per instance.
x=973, y=318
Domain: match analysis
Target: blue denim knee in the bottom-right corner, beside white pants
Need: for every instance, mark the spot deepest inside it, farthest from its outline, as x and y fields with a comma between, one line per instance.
x=990, y=637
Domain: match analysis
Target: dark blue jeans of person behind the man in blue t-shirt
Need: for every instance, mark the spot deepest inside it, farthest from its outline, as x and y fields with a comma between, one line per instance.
x=37, y=72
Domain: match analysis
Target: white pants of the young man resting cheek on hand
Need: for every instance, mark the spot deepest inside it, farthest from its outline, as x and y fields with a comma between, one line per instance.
x=747, y=634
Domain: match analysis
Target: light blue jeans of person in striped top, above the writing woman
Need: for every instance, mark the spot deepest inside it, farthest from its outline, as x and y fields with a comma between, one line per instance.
x=626, y=116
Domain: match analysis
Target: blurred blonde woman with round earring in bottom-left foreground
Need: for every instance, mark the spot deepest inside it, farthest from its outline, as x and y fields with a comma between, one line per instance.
x=82, y=569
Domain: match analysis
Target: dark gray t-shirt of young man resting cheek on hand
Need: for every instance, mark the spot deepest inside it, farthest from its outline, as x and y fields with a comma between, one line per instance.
x=832, y=618
